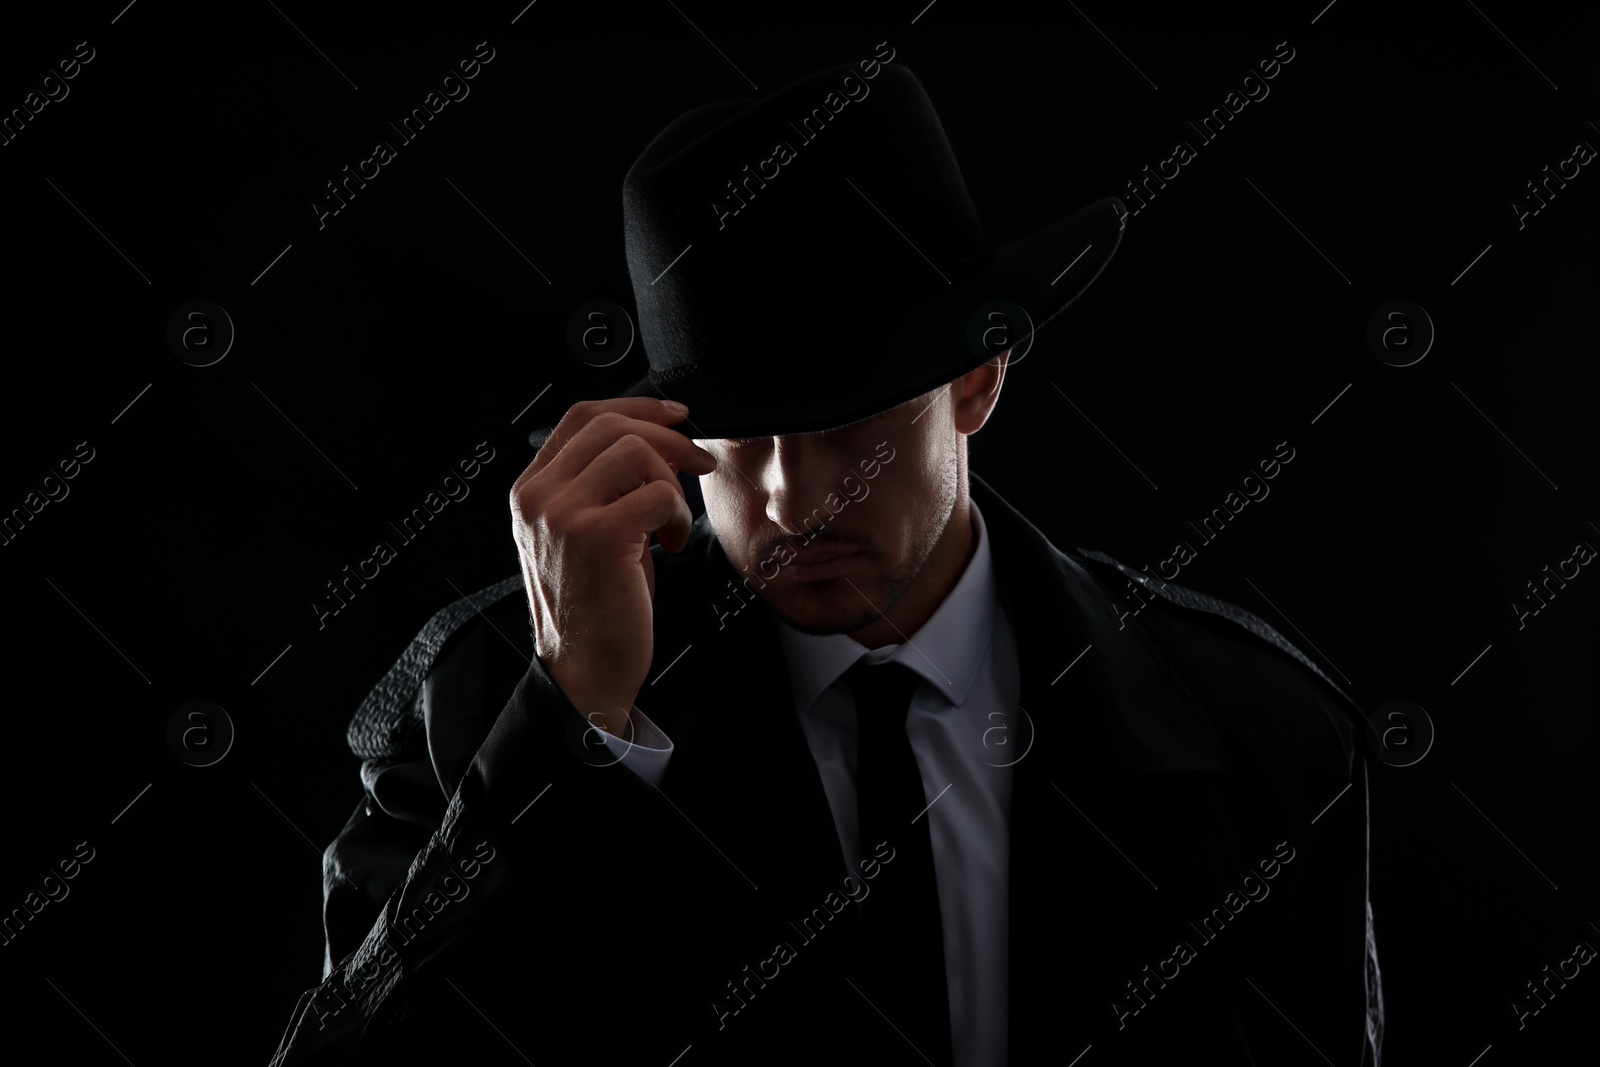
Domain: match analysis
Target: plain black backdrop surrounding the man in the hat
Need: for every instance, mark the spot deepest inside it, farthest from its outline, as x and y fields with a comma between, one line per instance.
x=382, y=350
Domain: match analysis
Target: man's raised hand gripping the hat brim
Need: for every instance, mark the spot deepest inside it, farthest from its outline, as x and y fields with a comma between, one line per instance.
x=583, y=514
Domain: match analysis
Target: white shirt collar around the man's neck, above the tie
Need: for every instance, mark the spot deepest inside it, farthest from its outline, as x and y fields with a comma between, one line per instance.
x=946, y=652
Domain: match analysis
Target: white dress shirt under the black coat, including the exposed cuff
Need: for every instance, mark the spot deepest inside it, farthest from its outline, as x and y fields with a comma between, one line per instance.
x=967, y=732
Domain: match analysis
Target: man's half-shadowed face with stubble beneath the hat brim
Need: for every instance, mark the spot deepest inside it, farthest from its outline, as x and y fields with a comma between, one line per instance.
x=841, y=524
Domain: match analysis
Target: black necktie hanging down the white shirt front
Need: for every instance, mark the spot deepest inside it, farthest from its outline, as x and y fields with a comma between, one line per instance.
x=903, y=945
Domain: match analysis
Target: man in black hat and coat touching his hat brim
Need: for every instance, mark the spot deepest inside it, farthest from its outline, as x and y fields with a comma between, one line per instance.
x=857, y=767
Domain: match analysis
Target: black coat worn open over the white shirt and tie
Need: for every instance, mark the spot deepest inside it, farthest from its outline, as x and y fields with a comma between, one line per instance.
x=506, y=892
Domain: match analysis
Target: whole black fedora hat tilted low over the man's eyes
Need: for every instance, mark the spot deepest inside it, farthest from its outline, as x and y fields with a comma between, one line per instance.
x=812, y=258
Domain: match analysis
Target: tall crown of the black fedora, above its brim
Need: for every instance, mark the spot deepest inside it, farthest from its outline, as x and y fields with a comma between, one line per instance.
x=770, y=228
